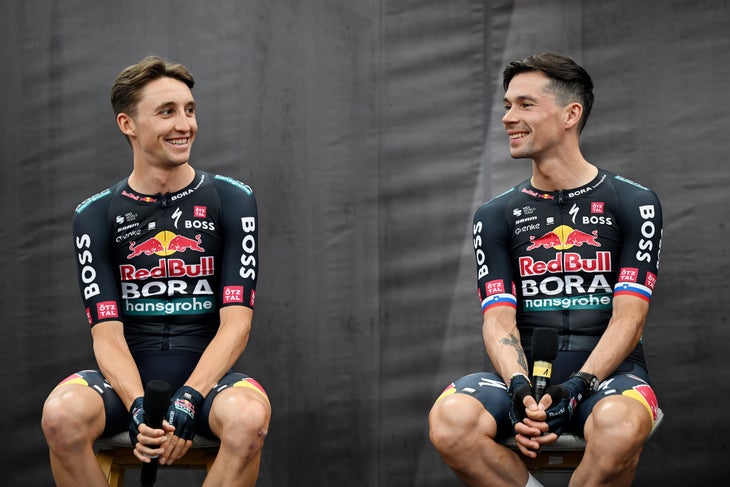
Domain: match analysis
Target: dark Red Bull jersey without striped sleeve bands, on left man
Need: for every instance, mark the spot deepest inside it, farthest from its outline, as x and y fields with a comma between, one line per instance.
x=165, y=264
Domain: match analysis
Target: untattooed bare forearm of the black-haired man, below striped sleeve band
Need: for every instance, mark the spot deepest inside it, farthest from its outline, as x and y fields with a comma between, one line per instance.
x=620, y=338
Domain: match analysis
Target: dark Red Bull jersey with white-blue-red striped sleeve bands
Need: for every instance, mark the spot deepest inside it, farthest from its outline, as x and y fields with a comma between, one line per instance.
x=560, y=257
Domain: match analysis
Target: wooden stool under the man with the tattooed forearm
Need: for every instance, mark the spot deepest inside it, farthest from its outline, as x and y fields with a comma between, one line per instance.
x=565, y=454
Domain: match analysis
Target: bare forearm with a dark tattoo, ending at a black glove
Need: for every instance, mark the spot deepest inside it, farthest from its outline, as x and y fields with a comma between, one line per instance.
x=502, y=342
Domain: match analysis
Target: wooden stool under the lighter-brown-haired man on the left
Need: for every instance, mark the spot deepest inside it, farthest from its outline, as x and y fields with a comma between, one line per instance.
x=114, y=455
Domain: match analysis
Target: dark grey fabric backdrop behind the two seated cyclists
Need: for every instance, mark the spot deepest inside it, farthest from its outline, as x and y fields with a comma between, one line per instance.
x=370, y=132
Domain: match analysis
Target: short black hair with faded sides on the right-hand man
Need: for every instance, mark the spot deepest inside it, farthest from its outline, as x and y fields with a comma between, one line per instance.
x=568, y=81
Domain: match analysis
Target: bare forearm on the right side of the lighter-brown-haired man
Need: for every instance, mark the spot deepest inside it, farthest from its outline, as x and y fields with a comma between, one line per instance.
x=224, y=350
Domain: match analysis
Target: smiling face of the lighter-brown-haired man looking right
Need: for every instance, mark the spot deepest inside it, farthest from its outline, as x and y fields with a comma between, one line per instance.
x=163, y=128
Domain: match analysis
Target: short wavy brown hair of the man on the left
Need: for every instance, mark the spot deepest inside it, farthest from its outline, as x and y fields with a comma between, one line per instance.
x=130, y=82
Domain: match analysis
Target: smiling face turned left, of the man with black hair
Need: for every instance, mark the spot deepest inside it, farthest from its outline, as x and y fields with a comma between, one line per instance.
x=536, y=124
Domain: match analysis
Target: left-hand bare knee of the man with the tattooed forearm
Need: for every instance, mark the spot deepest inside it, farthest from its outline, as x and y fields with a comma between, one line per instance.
x=451, y=421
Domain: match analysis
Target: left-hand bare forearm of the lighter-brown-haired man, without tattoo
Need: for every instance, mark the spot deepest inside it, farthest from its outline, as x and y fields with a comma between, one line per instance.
x=115, y=361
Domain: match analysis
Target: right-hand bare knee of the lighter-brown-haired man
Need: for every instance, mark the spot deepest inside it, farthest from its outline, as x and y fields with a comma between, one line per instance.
x=244, y=420
